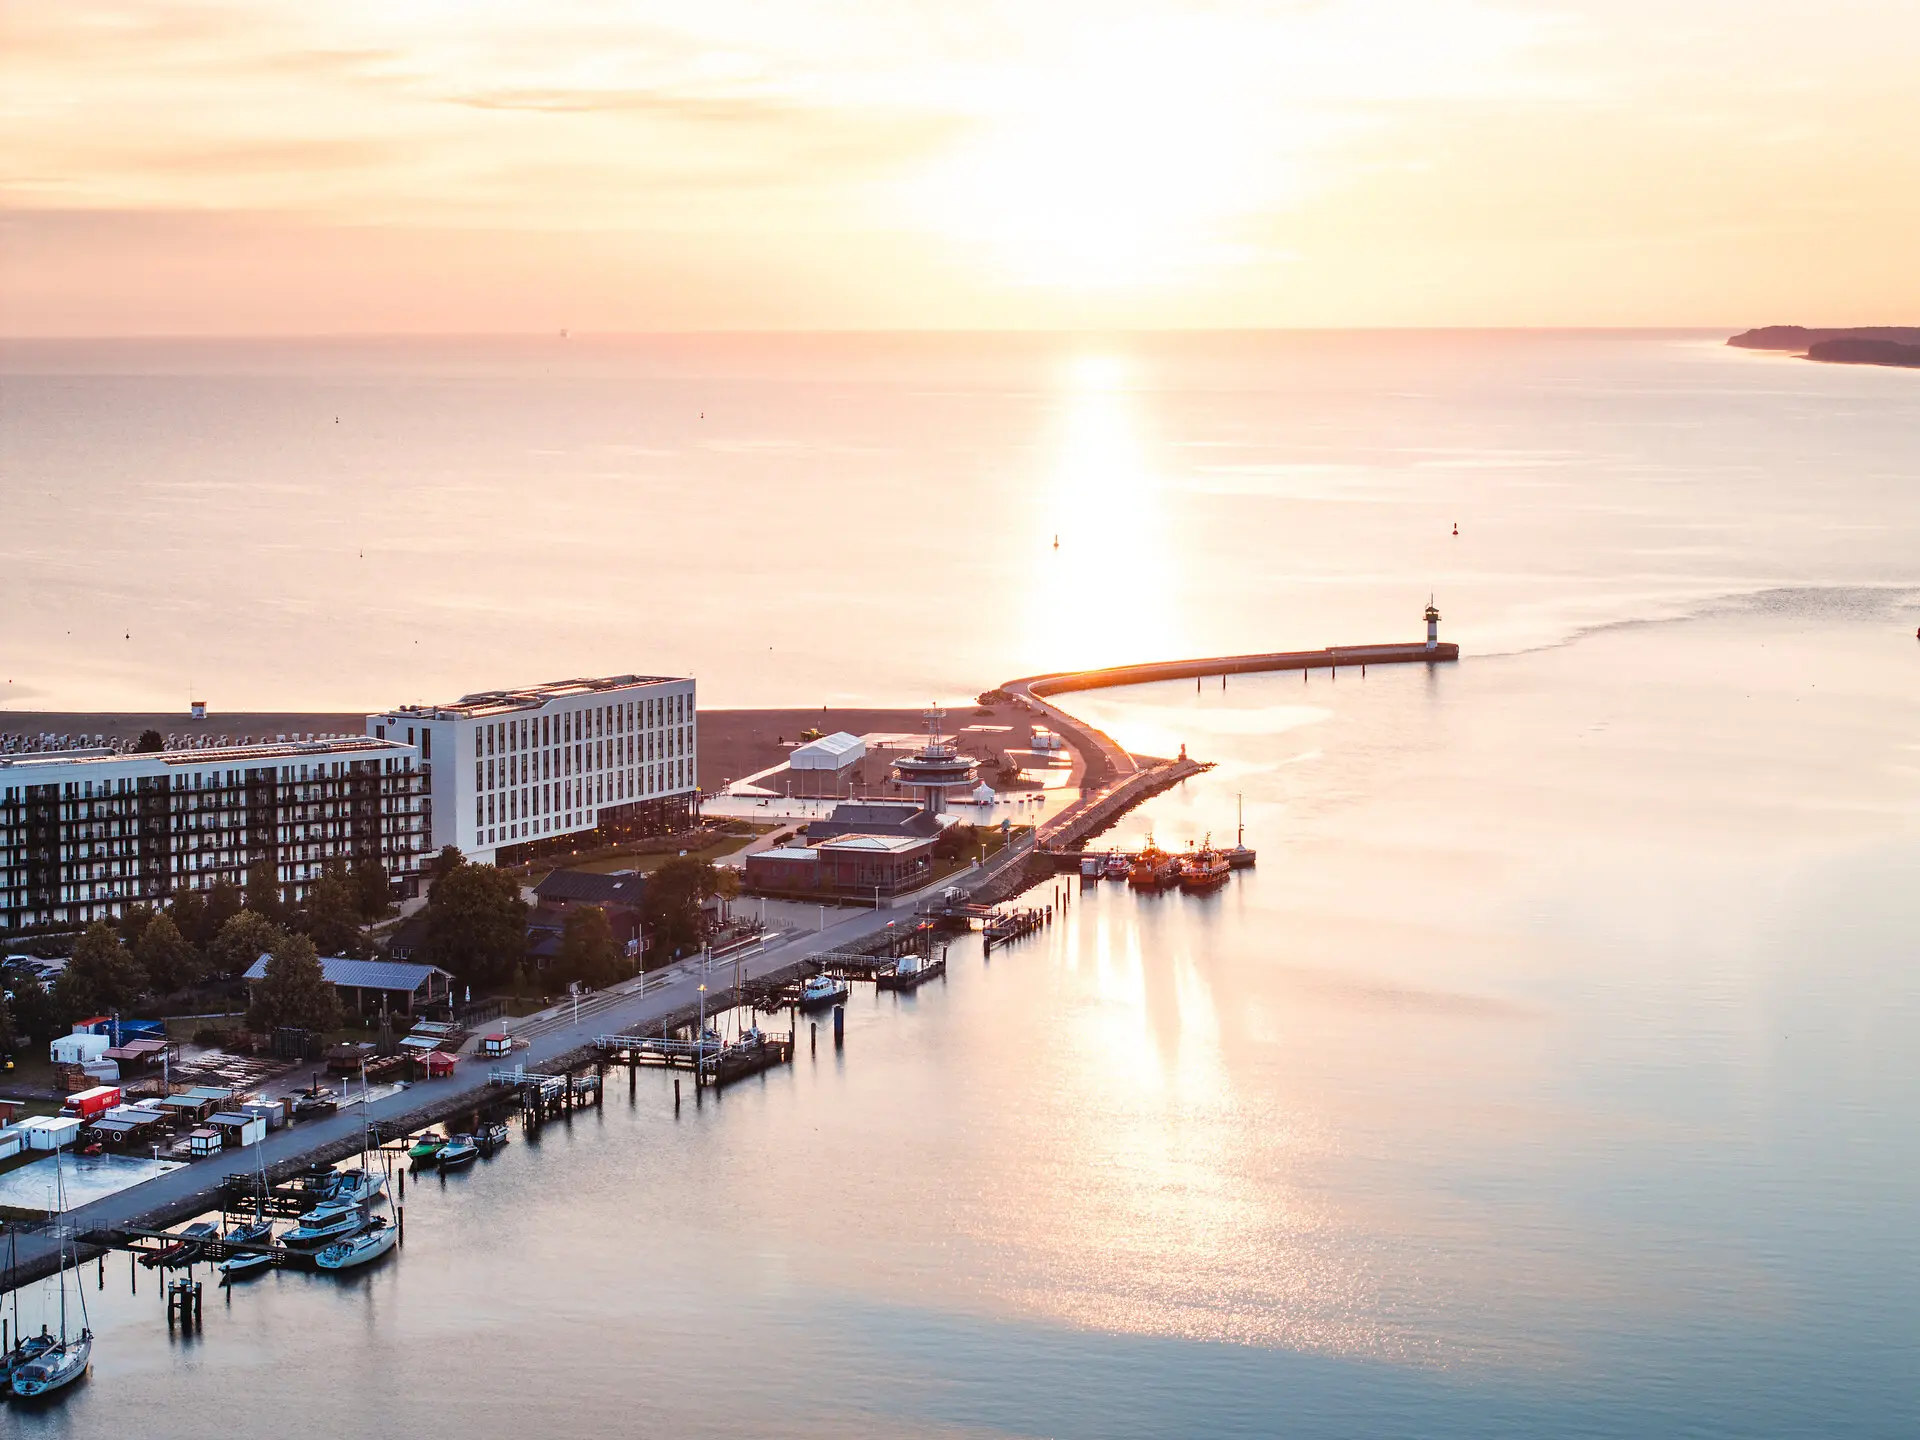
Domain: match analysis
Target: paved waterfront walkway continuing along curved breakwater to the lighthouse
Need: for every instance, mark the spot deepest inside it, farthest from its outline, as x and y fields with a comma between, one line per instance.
x=590, y=1038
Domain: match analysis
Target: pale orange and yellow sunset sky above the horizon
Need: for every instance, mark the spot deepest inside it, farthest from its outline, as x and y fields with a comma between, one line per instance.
x=469, y=166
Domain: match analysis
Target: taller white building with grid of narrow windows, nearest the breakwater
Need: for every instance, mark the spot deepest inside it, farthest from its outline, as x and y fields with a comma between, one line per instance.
x=516, y=775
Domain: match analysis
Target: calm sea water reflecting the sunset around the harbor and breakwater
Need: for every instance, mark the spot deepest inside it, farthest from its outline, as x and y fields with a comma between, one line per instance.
x=1552, y=1074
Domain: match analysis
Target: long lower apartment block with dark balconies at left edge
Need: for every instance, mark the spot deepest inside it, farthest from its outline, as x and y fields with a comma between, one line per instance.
x=85, y=836
